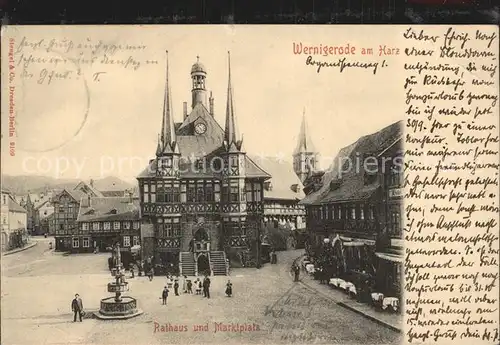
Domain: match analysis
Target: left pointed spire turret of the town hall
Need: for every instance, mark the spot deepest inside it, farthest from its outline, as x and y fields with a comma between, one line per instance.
x=167, y=151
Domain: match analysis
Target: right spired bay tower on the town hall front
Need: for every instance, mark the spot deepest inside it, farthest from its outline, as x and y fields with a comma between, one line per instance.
x=234, y=204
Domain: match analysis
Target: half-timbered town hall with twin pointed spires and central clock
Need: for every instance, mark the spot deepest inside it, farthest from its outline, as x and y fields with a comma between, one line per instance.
x=202, y=197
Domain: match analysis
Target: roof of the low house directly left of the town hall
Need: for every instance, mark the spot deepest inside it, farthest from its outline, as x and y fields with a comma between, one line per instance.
x=109, y=208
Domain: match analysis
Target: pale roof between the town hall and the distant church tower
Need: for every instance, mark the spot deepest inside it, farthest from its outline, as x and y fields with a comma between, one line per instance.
x=285, y=184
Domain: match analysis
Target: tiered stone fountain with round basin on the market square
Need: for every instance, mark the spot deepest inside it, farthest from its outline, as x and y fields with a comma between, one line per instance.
x=118, y=307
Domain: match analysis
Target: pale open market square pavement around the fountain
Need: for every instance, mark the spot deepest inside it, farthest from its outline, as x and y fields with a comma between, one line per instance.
x=36, y=308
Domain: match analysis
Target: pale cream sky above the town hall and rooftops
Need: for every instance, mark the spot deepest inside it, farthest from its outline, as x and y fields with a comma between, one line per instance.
x=79, y=127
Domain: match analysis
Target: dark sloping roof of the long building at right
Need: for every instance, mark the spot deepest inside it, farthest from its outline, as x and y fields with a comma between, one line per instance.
x=351, y=181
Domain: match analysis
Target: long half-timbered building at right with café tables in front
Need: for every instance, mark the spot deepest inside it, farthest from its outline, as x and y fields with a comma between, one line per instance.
x=357, y=205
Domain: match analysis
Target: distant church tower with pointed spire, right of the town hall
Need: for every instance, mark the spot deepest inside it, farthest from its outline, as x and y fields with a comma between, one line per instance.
x=305, y=157
